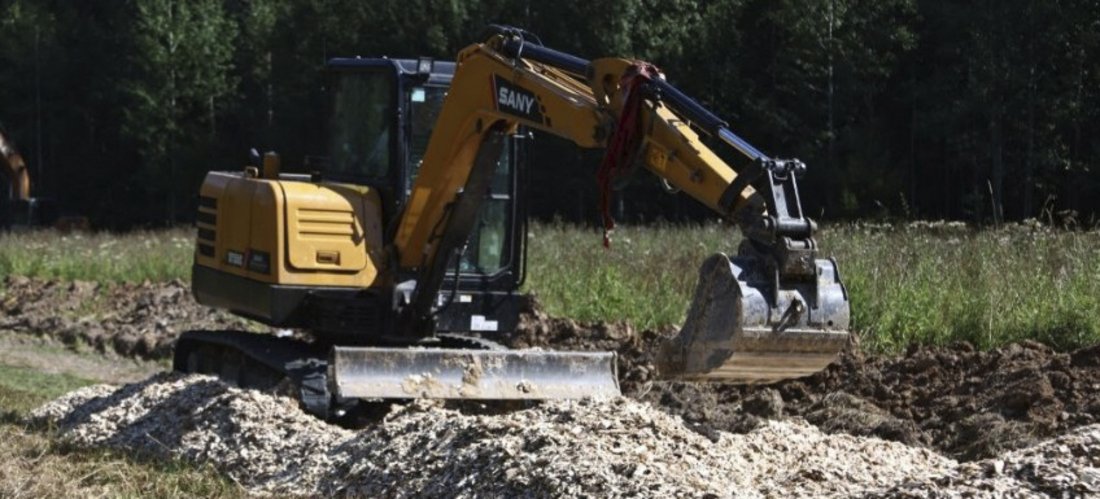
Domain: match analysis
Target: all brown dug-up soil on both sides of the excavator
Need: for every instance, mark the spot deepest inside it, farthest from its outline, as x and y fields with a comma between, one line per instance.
x=964, y=404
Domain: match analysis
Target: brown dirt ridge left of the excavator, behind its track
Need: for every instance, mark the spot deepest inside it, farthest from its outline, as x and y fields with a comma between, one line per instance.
x=139, y=320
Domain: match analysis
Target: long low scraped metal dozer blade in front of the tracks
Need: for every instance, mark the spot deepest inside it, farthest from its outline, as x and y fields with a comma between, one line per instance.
x=472, y=374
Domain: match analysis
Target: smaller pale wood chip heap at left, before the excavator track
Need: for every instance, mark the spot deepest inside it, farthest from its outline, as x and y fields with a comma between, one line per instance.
x=248, y=435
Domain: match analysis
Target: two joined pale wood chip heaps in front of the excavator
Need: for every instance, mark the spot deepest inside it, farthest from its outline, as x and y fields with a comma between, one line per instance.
x=613, y=448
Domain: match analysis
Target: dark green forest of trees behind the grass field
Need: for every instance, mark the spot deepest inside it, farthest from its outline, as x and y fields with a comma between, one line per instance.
x=980, y=112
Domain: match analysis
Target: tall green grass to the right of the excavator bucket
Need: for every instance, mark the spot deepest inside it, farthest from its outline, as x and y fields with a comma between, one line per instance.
x=939, y=285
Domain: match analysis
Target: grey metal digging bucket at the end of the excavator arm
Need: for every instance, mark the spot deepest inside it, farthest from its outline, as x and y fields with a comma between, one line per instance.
x=746, y=328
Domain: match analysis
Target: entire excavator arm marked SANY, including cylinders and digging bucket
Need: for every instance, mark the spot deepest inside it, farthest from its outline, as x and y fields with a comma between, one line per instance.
x=773, y=313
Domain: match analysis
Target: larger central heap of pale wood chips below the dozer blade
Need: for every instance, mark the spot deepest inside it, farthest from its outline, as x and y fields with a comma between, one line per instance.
x=617, y=448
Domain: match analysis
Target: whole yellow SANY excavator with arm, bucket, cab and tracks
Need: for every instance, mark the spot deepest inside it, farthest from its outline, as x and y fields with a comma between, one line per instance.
x=402, y=251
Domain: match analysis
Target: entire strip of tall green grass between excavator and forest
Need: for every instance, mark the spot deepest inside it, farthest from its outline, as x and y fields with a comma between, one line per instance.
x=909, y=284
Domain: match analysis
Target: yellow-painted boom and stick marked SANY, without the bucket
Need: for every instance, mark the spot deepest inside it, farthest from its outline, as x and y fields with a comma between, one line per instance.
x=492, y=93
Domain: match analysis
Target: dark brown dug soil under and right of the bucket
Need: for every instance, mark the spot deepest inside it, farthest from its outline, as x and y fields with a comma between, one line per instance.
x=966, y=404
